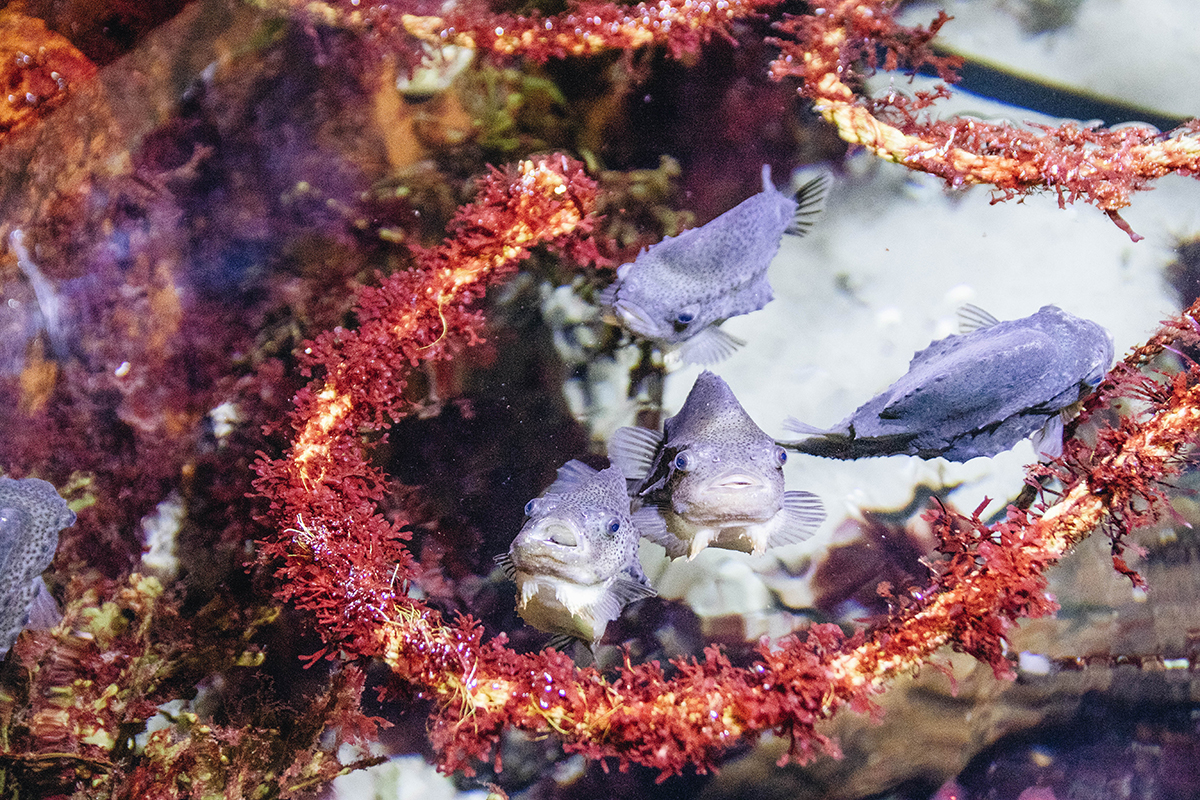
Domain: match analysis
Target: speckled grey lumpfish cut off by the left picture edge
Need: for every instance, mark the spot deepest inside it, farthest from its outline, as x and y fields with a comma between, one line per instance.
x=32, y=515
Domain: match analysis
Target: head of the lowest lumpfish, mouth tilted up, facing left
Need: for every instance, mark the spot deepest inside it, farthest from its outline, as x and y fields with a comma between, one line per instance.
x=584, y=538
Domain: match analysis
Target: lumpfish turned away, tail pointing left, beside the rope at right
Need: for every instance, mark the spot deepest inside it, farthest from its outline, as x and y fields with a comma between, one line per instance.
x=977, y=393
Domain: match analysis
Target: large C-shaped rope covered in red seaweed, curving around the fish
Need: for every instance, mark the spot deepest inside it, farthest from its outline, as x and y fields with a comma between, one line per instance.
x=347, y=566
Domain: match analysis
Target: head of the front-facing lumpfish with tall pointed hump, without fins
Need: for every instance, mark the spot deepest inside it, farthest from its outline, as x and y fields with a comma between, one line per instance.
x=721, y=464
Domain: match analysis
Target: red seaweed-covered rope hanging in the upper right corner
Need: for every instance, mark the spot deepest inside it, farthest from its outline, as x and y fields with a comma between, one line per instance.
x=1103, y=167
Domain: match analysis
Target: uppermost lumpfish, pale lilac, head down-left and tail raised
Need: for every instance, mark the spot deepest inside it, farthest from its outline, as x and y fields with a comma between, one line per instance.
x=676, y=293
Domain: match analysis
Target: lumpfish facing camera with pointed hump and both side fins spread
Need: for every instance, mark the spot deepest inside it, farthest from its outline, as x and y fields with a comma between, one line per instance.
x=715, y=478
